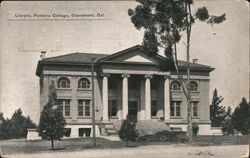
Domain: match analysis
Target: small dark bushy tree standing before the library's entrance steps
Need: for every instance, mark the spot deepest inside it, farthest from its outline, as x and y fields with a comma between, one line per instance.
x=128, y=131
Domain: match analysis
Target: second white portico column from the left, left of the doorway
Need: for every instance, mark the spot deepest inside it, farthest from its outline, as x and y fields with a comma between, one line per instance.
x=125, y=96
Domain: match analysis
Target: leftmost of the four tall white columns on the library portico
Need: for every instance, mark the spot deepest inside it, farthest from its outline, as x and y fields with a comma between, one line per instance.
x=105, y=98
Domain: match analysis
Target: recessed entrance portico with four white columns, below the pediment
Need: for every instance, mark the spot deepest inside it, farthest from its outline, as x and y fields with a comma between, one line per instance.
x=134, y=94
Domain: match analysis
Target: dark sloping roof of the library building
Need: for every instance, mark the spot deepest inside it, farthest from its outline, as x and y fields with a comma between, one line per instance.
x=86, y=59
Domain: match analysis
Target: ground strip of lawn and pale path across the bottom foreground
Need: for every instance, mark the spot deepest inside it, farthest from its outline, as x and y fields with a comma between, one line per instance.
x=82, y=147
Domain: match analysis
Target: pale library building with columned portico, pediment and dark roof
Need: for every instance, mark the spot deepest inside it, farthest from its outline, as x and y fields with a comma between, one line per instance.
x=129, y=83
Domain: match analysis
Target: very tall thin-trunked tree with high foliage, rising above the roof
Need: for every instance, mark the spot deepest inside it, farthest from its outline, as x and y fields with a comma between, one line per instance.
x=163, y=22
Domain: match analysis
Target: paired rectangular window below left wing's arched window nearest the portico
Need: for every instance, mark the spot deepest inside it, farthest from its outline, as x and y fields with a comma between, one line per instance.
x=84, y=107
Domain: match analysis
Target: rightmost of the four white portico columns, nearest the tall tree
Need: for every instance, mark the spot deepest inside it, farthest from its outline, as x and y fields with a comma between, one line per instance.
x=166, y=99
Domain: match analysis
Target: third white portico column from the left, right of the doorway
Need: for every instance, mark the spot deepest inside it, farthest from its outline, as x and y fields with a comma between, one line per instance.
x=148, y=97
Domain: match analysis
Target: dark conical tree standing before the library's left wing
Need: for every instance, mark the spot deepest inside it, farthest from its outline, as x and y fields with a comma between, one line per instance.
x=52, y=122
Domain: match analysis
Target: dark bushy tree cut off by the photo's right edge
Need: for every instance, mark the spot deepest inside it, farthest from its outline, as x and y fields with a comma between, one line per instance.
x=241, y=117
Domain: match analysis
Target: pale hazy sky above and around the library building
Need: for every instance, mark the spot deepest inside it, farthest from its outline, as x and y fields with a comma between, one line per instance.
x=224, y=47
